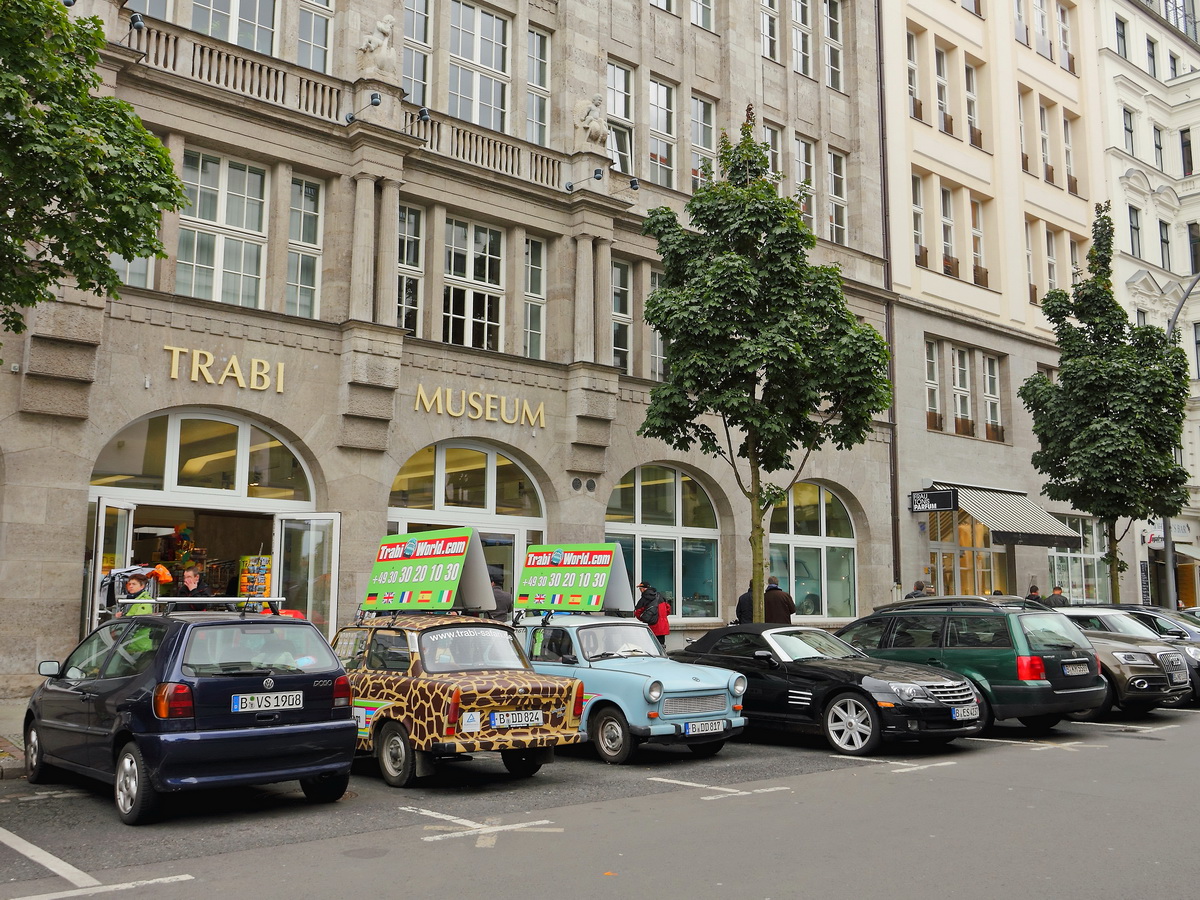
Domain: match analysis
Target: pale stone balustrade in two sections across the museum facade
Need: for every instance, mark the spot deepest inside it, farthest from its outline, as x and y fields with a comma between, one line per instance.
x=284, y=85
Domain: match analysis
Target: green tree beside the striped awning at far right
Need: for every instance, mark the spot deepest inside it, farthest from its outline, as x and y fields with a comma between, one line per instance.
x=1109, y=424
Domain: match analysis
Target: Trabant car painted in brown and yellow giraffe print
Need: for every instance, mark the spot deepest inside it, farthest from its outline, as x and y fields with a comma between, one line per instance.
x=421, y=700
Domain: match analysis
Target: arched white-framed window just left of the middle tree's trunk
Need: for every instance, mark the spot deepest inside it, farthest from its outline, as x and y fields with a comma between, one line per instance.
x=667, y=527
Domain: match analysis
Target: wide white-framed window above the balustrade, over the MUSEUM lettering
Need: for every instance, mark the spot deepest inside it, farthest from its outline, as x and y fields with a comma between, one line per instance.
x=479, y=65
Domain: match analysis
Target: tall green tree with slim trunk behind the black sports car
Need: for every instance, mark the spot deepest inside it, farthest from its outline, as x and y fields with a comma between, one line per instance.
x=757, y=338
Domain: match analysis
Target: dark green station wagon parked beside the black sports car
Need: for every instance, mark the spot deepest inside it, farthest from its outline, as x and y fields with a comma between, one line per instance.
x=1029, y=662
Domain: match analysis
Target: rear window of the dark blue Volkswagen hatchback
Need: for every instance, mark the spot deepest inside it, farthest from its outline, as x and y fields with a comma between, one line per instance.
x=237, y=647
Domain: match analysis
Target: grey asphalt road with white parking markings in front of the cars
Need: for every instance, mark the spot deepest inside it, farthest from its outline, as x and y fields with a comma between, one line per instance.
x=1101, y=811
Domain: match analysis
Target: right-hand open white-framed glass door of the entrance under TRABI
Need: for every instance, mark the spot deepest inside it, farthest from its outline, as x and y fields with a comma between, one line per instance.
x=307, y=550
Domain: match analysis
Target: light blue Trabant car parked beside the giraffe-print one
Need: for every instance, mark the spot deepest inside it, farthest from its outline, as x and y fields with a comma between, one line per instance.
x=633, y=693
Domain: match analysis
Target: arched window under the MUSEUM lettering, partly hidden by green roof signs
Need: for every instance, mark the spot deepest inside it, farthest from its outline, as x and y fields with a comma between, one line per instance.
x=457, y=484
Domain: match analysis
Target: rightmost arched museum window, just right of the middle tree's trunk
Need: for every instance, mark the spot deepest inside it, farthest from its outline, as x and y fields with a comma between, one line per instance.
x=813, y=551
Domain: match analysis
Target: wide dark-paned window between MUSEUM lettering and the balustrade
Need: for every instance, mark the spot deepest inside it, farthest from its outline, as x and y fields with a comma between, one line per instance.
x=473, y=298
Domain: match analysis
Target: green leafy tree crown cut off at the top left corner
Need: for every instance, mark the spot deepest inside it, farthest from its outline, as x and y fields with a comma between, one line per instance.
x=80, y=176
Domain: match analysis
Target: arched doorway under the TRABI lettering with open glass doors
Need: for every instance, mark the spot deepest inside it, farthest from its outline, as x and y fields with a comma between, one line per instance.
x=213, y=490
